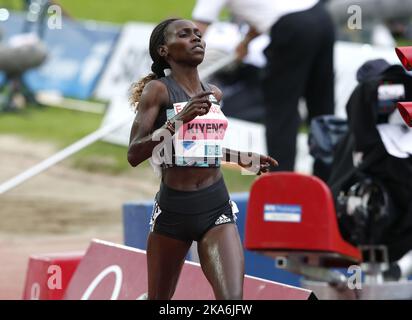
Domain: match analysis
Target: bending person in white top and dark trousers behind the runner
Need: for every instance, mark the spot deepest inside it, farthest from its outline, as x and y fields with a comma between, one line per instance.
x=299, y=63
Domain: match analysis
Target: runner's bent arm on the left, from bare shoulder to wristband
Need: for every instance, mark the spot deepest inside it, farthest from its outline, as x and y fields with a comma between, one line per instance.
x=141, y=143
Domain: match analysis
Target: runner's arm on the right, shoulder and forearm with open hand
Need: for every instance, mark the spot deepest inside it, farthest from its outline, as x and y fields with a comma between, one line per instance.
x=251, y=161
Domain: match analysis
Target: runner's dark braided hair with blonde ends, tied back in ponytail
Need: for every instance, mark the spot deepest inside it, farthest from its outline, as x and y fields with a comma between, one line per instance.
x=157, y=38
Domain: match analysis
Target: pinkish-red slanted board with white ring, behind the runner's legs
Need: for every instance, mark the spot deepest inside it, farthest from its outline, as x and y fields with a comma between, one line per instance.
x=111, y=271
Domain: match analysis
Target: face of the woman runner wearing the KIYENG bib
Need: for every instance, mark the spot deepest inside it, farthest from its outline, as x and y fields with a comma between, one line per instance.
x=184, y=43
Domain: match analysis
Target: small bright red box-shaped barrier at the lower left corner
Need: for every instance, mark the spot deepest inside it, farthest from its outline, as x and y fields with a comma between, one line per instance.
x=48, y=275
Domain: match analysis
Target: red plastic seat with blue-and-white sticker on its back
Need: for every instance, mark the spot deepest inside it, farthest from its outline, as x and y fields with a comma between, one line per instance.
x=294, y=214
